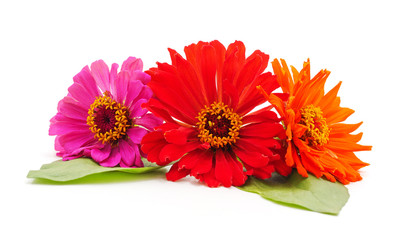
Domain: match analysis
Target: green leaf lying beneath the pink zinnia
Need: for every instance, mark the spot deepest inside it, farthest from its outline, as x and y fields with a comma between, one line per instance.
x=62, y=171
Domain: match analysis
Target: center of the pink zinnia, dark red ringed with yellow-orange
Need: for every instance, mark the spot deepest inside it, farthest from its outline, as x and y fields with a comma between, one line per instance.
x=108, y=120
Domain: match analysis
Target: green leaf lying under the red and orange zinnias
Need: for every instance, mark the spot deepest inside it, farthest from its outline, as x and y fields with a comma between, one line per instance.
x=310, y=193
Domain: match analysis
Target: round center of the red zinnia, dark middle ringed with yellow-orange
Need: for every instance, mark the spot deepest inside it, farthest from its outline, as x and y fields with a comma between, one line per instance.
x=218, y=125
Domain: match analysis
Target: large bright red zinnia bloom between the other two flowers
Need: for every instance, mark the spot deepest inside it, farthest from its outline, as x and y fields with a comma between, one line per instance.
x=206, y=101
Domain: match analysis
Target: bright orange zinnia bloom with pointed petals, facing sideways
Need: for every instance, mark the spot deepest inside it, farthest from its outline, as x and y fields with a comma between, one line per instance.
x=317, y=141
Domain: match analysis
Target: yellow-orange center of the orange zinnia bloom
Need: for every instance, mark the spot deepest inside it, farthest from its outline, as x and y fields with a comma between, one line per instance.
x=317, y=133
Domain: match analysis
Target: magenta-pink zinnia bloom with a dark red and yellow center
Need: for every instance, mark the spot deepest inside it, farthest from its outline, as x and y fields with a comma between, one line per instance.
x=102, y=118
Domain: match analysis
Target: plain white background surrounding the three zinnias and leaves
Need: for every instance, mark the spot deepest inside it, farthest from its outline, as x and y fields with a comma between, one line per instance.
x=43, y=44
